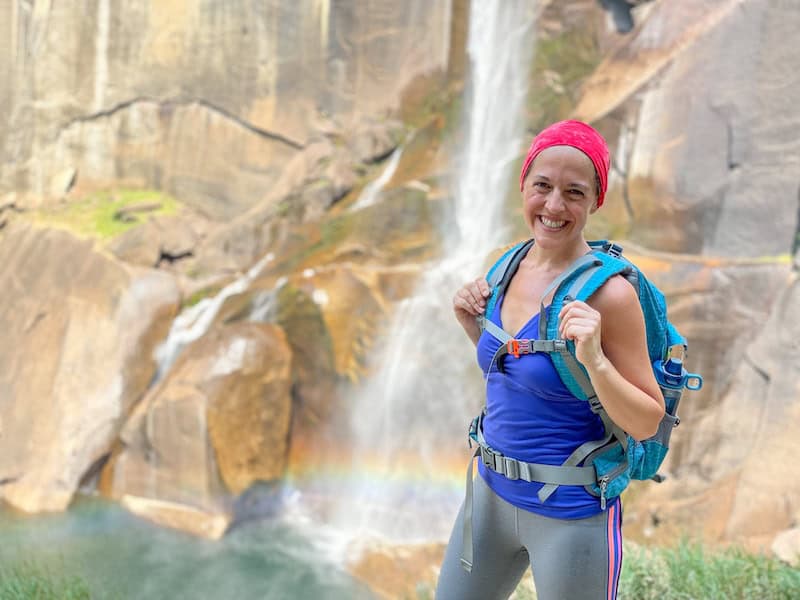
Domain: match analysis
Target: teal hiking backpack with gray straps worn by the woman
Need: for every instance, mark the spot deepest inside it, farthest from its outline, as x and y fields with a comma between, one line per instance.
x=607, y=465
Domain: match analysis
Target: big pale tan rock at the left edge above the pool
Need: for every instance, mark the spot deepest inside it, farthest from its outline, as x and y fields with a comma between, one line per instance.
x=79, y=331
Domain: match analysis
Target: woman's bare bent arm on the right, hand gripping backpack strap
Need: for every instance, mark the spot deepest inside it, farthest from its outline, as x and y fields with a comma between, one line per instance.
x=611, y=343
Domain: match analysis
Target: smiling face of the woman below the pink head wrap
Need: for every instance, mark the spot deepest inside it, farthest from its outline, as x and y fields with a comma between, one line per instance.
x=559, y=194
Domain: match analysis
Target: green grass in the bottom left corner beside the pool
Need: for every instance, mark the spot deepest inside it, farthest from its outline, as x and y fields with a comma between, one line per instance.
x=26, y=581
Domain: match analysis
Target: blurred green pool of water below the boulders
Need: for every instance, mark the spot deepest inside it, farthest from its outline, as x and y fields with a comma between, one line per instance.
x=122, y=556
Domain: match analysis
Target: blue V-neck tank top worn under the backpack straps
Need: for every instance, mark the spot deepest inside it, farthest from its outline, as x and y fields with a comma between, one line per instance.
x=533, y=417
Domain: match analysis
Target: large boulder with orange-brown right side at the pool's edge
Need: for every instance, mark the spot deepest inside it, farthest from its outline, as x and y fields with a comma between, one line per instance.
x=216, y=424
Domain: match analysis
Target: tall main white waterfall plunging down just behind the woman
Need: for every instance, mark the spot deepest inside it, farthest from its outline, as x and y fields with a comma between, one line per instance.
x=408, y=426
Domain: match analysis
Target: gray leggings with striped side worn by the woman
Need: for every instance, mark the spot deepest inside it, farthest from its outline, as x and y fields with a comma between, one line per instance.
x=570, y=559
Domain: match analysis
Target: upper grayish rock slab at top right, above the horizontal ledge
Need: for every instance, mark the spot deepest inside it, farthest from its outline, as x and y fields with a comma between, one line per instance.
x=714, y=174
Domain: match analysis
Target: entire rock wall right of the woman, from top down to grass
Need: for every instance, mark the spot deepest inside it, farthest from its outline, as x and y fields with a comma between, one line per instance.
x=715, y=174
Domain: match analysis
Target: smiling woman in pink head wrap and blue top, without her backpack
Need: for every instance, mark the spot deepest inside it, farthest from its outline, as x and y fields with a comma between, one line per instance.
x=573, y=545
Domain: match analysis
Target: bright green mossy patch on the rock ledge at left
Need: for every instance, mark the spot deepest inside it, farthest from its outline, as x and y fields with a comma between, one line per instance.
x=109, y=213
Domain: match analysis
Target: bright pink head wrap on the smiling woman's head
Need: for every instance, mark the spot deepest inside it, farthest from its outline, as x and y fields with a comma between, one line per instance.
x=578, y=135
